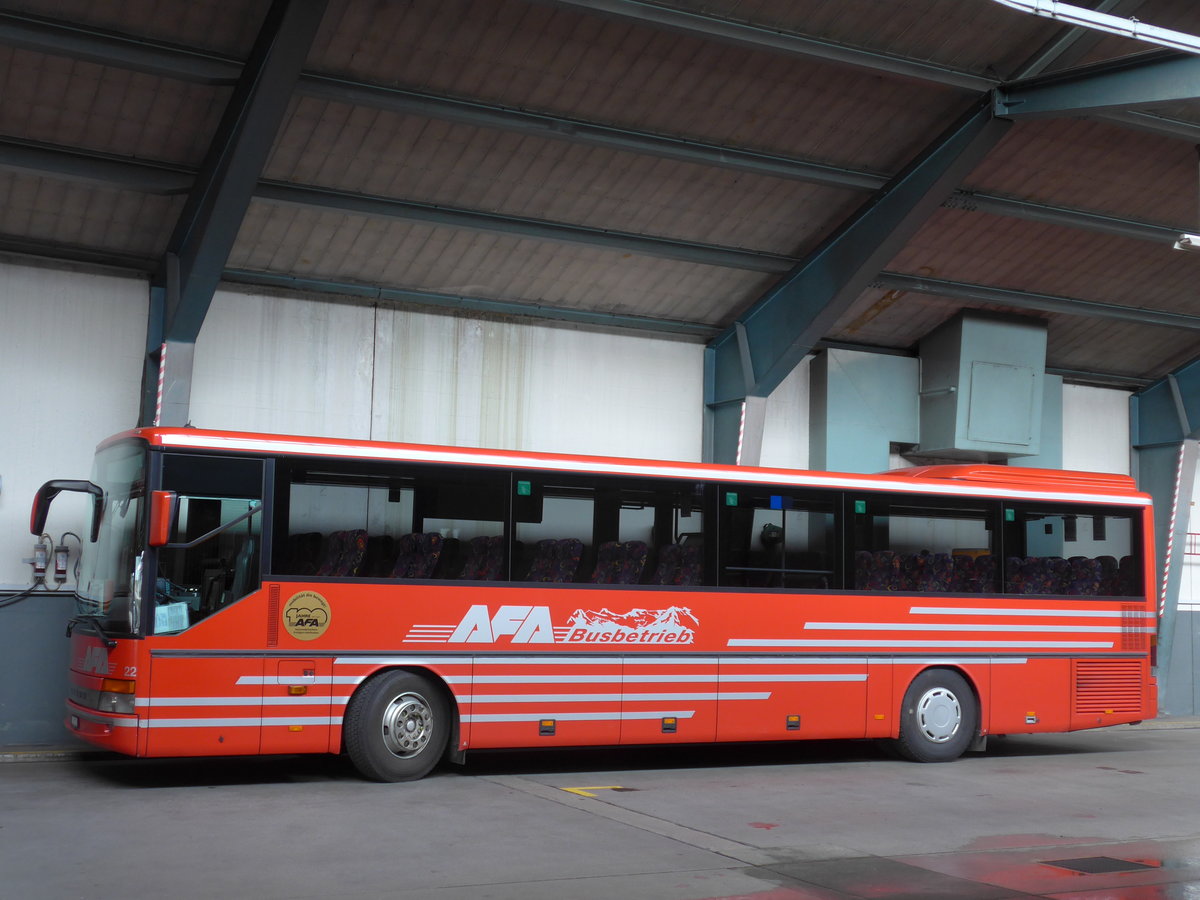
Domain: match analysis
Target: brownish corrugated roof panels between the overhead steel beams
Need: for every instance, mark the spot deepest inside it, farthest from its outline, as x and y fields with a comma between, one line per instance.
x=676, y=106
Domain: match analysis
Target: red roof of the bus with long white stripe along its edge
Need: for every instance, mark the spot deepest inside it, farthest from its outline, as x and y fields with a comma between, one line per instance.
x=970, y=479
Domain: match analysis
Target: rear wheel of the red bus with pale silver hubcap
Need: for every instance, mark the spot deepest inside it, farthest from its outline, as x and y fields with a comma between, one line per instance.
x=939, y=719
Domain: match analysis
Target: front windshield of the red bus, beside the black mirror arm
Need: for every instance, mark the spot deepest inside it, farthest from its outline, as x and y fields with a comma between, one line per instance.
x=109, y=573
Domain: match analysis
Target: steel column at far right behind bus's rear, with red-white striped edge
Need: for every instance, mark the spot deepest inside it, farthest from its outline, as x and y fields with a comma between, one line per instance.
x=1166, y=428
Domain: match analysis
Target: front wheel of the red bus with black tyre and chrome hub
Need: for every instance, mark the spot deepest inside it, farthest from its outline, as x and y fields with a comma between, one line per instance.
x=397, y=727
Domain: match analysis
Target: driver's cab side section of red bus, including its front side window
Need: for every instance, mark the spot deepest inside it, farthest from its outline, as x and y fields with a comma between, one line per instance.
x=206, y=627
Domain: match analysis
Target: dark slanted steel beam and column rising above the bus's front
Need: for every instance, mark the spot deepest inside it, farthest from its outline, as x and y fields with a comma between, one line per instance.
x=217, y=206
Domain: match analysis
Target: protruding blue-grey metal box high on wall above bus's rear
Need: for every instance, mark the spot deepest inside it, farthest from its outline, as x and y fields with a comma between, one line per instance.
x=982, y=388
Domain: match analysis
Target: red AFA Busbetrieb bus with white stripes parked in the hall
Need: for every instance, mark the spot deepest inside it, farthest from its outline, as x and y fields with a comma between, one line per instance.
x=275, y=595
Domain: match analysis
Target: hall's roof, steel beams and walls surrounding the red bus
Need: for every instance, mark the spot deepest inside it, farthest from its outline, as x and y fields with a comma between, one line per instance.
x=736, y=231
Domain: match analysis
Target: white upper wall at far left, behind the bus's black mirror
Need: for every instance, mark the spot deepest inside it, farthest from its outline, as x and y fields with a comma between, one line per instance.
x=71, y=350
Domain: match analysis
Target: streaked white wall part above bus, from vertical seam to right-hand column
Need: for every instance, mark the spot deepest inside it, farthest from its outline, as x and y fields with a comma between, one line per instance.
x=494, y=383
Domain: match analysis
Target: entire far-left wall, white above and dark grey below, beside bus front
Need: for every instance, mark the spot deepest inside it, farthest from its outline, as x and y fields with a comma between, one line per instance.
x=71, y=347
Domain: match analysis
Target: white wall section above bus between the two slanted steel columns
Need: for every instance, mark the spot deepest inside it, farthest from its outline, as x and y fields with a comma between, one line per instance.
x=309, y=367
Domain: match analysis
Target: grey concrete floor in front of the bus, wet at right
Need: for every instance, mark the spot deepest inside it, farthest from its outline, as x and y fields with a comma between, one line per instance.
x=821, y=821
